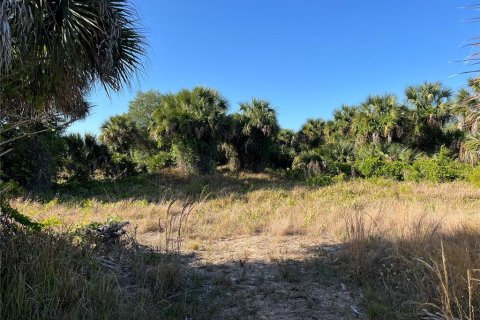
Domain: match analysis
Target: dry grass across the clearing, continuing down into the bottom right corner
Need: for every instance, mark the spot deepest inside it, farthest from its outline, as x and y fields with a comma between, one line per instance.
x=393, y=230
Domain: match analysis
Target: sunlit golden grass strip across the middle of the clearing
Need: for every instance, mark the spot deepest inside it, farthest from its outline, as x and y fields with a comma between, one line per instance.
x=277, y=208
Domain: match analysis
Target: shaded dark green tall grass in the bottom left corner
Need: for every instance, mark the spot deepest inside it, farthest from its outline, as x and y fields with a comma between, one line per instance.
x=45, y=275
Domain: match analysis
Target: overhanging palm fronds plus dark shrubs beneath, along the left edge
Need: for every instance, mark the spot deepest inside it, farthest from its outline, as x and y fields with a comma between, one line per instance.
x=51, y=54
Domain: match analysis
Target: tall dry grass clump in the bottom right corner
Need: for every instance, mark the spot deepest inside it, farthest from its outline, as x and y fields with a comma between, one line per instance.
x=424, y=269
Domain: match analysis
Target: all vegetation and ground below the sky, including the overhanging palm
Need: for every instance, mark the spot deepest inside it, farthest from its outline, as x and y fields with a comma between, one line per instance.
x=181, y=209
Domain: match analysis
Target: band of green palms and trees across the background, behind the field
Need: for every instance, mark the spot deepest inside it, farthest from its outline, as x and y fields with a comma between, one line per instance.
x=428, y=133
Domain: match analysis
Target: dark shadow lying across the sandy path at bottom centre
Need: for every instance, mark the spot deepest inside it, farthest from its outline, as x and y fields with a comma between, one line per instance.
x=308, y=288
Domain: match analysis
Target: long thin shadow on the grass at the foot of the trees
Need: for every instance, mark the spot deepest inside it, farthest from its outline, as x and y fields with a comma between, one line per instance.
x=165, y=186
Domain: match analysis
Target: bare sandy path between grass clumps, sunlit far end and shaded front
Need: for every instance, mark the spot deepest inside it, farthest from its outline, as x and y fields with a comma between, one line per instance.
x=258, y=277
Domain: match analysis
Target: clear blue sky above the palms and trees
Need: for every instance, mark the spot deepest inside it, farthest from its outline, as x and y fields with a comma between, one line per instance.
x=307, y=57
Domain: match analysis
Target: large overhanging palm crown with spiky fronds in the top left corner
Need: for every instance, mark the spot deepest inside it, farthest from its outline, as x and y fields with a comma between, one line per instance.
x=53, y=52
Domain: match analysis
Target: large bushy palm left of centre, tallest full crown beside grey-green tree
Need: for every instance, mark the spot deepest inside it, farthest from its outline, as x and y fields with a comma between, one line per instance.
x=191, y=121
